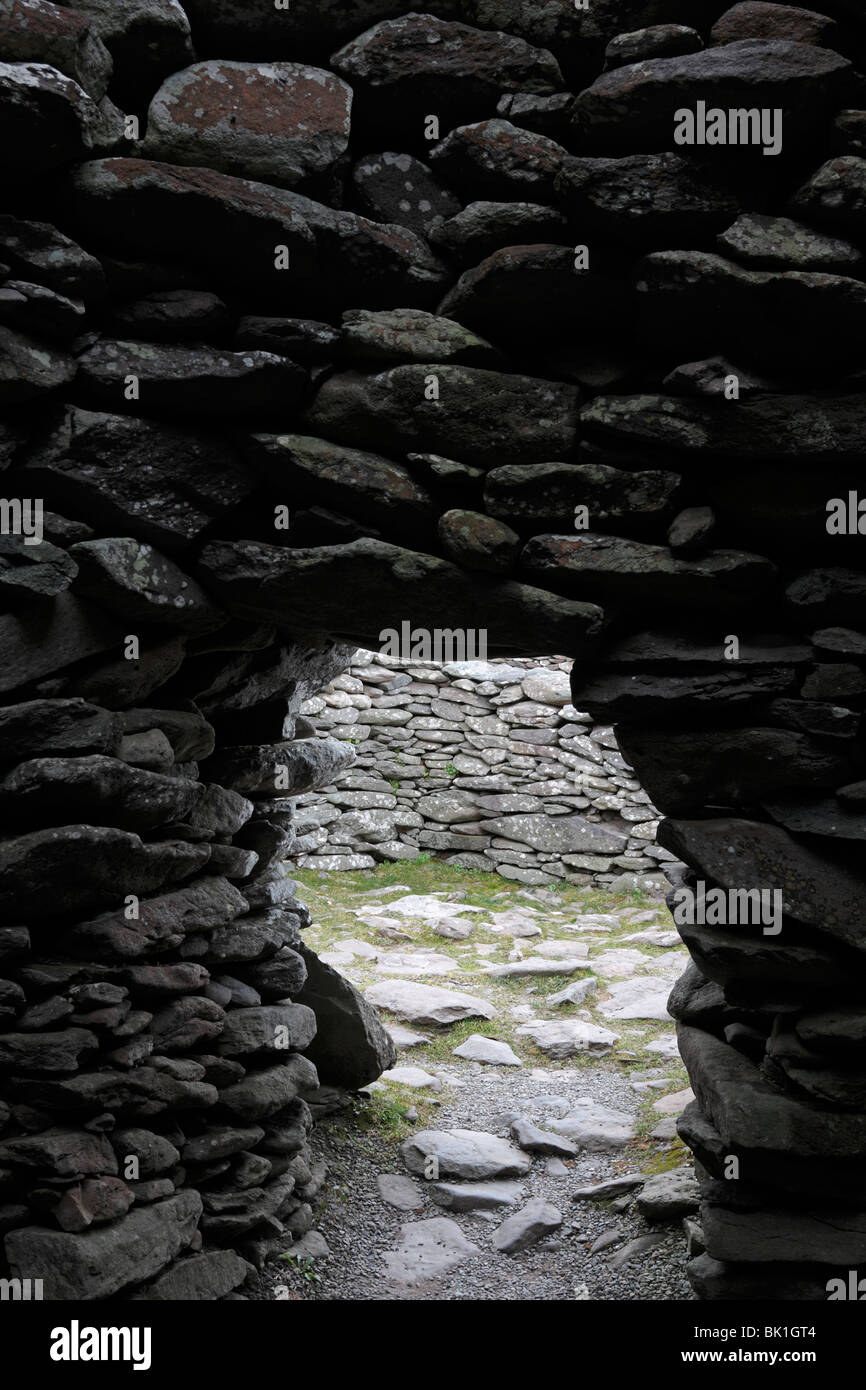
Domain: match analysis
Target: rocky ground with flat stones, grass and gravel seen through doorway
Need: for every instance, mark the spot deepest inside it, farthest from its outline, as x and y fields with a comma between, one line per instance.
x=537, y=1061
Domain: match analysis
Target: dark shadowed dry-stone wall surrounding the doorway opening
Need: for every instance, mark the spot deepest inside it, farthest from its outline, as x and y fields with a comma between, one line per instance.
x=323, y=319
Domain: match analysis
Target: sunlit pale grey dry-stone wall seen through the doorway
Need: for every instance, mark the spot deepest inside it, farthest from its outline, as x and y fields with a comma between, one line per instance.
x=484, y=764
